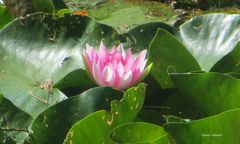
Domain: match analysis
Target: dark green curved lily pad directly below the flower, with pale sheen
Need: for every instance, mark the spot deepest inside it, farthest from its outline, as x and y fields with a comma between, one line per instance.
x=52, y=125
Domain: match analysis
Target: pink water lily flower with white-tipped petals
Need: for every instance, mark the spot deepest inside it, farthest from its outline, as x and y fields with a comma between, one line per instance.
x=115, y=68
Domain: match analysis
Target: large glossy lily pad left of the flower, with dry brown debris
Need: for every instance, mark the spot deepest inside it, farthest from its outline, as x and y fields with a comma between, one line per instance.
x=39, y=51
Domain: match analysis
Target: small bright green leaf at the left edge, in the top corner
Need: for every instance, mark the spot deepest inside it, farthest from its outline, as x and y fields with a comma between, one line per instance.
x=5, y=16
